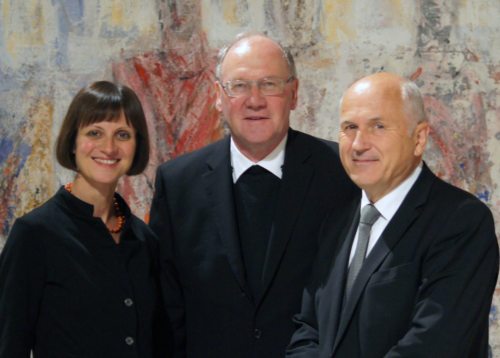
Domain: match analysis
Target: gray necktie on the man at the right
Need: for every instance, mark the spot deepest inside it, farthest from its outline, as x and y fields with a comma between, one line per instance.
x=369, y=214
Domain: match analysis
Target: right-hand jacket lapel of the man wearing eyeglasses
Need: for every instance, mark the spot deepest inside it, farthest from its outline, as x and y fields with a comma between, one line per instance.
x=297, y=174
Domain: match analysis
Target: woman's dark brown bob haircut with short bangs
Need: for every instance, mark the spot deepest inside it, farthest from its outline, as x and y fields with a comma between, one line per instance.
x=103, y=101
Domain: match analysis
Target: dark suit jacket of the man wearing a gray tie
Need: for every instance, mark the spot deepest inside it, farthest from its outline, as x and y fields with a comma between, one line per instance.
x=424, y=290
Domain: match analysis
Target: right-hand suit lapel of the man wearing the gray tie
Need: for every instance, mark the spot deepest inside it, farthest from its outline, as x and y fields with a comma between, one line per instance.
x=393, y=233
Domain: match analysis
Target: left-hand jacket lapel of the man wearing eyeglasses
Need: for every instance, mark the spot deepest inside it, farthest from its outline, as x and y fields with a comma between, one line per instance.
x=219, y=187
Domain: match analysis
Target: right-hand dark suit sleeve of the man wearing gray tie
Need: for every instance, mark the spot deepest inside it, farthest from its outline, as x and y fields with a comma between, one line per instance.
x=458, y=280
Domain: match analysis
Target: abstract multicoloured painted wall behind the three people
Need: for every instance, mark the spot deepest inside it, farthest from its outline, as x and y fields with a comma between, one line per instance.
x=166, y=51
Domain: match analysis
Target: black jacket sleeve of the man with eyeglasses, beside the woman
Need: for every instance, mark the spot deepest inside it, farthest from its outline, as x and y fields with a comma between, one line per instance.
x=160, y=223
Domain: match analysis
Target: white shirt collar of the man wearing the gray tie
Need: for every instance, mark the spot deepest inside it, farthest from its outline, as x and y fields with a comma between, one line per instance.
x=389, y=203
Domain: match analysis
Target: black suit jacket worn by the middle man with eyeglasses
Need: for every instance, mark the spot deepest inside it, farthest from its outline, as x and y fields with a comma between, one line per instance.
x=193, y=214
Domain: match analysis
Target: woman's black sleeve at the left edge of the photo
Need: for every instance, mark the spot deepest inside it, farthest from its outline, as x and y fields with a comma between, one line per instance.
x=22, y=272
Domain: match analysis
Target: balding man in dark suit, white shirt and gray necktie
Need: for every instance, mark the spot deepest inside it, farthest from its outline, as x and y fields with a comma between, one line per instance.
x=416, y=278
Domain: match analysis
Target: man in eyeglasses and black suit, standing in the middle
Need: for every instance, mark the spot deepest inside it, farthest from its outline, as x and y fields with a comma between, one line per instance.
x=238, y=219
